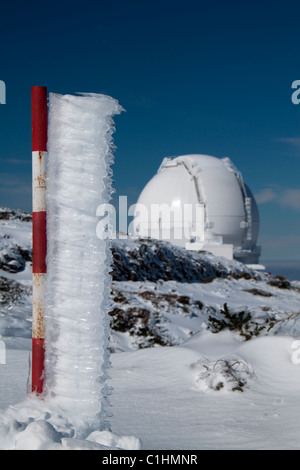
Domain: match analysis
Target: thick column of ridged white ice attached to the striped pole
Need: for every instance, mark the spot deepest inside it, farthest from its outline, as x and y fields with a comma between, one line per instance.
x=78, y=262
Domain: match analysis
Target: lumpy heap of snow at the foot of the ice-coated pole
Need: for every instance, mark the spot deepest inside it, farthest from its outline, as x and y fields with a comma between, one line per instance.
x=36, y=424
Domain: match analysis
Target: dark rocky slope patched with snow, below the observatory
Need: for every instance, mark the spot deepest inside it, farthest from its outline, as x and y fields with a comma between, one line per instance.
x=162, y=294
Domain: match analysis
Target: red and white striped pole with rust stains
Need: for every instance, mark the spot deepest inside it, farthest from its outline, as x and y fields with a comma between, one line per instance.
x=39, y=240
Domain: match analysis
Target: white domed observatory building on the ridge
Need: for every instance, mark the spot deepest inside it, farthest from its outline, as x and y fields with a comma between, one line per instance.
x=200, y=202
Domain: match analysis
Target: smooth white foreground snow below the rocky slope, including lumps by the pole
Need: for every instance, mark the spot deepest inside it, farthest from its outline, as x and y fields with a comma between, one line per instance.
x=163, y=397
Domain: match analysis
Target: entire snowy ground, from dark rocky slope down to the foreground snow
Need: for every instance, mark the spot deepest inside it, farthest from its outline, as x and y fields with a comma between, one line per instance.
x=177, y=383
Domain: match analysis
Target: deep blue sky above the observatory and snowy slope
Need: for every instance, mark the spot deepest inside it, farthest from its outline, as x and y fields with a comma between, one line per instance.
x=193, y=76
